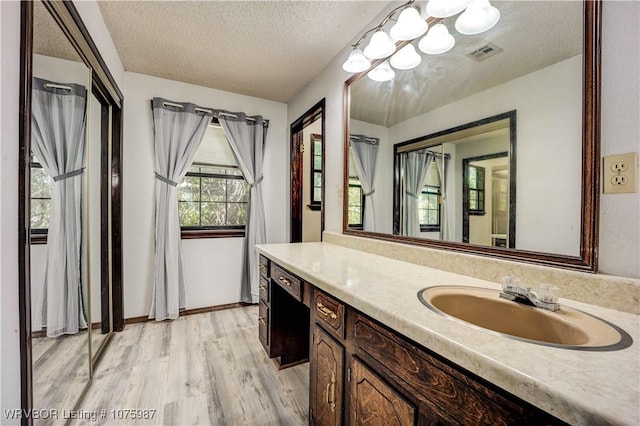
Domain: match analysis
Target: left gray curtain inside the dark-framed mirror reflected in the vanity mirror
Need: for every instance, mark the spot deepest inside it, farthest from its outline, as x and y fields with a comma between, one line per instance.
x=417, y=164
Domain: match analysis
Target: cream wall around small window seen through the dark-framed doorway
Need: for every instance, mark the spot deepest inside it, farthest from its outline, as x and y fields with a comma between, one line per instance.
x=311, y=219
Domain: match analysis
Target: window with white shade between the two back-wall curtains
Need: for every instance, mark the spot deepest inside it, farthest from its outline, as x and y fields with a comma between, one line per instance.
x=213, y=197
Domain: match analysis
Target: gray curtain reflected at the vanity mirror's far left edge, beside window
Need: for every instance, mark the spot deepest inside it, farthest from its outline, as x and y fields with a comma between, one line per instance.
x=365, y=153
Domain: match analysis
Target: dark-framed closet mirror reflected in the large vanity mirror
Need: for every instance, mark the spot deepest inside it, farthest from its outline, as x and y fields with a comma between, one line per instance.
x=455, y=185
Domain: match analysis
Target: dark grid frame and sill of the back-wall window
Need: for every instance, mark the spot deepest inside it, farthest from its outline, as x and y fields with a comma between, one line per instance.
x=208, y=231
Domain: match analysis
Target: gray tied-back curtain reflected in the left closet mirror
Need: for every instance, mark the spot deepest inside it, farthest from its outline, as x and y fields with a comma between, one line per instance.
x=57, y=135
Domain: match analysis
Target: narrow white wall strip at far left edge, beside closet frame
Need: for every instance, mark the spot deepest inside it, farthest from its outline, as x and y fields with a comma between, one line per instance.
x=9, y=95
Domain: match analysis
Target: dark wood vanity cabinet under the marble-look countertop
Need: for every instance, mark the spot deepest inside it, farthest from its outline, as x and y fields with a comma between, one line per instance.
x=362, y=372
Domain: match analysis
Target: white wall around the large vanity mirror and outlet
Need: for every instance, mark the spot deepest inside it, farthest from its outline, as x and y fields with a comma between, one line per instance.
x=619, y=229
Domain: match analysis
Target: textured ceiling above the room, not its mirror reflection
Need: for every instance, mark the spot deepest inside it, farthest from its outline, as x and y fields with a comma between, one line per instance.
x=268, y=49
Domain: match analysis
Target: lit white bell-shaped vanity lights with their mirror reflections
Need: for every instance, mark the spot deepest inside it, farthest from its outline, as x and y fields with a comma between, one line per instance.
x=478, y=16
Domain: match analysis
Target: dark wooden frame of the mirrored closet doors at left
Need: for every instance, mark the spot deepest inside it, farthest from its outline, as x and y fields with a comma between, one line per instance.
x=70, y=22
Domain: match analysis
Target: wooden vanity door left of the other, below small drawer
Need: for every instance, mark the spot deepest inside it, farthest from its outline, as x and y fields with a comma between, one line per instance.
x=327, y=372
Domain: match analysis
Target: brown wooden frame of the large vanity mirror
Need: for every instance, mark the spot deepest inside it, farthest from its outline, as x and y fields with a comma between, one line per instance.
x=587, y=260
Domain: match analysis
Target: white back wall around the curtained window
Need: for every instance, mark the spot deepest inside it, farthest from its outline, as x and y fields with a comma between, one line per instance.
x=214, y=265
